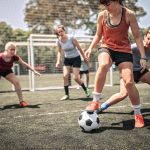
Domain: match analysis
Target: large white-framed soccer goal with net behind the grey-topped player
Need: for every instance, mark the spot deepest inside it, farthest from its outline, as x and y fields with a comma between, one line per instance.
x=43, y=54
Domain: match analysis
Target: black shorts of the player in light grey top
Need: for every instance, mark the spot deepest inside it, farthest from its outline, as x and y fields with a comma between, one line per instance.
x=73, y=62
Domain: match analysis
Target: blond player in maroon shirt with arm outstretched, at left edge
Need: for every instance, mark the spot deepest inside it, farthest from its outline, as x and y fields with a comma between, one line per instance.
x=7, y=58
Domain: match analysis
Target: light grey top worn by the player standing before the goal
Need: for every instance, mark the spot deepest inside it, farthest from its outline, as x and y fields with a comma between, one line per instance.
x=70, y=50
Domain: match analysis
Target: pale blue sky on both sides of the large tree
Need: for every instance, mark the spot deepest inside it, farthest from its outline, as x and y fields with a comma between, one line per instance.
x=12, y=12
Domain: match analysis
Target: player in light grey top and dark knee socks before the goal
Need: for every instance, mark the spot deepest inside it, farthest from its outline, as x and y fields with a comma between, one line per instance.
x=72, y=50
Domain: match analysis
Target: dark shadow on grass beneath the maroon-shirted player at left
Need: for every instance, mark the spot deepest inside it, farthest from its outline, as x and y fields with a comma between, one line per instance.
x=17, y=106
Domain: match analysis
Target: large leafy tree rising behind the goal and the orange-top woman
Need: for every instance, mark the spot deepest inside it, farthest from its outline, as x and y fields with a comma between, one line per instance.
x=43, y=15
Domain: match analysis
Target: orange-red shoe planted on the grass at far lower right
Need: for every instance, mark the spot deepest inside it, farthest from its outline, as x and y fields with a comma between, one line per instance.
x=139, y=121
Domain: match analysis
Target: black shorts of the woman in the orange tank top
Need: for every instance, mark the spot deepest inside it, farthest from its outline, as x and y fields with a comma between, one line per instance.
x=117, y=57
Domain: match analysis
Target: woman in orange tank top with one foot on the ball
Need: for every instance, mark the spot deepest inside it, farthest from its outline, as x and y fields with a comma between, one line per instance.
x=112, y=26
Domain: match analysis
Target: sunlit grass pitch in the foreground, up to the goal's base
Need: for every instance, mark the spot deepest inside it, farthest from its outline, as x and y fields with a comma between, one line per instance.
x=48, y=123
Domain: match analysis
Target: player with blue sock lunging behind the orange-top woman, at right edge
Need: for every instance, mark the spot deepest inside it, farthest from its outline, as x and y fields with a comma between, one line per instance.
x=139, y=73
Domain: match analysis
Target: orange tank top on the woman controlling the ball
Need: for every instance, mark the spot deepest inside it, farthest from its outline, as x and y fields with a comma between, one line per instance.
x=115, y=37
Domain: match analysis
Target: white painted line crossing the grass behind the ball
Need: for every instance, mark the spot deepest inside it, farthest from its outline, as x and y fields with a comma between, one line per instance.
x=64, y=112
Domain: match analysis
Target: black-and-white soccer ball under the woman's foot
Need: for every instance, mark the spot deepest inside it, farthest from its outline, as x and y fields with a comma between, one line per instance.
x=88, y=121
